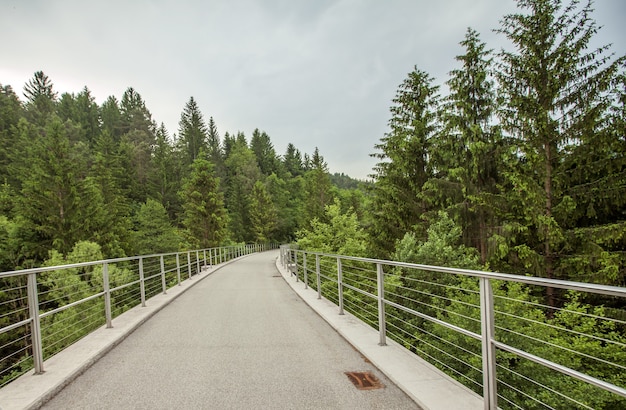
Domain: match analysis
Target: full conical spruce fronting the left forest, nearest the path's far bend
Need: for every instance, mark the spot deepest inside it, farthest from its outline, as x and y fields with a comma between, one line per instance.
x=204, y=215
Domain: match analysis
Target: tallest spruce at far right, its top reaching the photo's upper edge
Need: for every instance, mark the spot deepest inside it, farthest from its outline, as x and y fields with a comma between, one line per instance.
x=552, y=88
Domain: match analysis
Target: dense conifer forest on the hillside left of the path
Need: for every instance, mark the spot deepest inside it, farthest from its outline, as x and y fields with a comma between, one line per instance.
x=73, y=171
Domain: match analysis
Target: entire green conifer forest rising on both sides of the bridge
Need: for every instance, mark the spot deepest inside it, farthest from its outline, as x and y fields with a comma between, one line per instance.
x=516, y=163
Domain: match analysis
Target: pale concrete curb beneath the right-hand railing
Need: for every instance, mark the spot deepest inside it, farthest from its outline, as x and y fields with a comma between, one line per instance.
x=429, y=387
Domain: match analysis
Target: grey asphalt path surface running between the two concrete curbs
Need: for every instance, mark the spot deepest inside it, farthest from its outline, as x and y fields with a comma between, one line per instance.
x=240, y=339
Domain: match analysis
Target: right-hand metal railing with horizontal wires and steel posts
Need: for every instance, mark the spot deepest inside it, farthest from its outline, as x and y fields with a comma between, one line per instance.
x=490, y=331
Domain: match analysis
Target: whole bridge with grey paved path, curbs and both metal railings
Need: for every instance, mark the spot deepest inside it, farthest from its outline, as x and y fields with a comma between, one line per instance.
x=241, y=327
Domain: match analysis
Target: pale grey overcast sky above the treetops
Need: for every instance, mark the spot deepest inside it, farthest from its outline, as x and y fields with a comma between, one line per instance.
x=316, y=73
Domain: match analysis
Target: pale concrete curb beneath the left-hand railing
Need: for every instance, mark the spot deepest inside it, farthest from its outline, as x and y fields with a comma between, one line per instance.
x=31, y=391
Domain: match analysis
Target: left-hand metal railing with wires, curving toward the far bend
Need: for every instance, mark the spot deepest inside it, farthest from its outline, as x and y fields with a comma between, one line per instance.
x=44, y=310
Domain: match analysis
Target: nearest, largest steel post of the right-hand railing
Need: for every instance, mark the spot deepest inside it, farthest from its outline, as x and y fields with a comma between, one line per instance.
x=490, y=393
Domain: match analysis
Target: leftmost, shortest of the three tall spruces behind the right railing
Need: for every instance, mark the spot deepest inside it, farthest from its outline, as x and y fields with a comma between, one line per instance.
x=404, y=152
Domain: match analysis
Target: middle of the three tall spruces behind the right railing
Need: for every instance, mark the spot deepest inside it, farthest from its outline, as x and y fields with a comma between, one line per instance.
x=465, y=155
